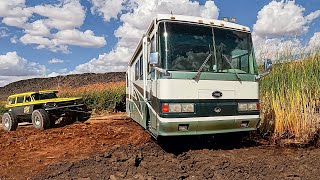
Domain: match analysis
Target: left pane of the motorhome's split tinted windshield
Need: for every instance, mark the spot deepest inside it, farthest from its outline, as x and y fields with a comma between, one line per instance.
x=185, y=47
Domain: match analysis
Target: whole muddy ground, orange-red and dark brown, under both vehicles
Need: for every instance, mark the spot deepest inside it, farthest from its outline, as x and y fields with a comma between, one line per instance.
x=120, y=149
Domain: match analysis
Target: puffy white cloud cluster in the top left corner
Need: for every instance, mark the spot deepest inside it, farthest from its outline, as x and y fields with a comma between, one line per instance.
x=65, y=18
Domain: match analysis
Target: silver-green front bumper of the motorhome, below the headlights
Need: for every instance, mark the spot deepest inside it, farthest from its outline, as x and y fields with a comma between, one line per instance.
x=207, y=125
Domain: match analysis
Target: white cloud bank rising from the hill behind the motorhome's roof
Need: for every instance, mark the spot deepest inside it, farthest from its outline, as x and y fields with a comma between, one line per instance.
x=134, y=23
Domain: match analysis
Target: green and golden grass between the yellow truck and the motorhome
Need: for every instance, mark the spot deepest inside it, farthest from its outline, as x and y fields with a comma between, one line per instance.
x=99, y=97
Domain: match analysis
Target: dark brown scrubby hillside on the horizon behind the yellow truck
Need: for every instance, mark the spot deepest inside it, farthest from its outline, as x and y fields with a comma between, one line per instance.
x=75, y=80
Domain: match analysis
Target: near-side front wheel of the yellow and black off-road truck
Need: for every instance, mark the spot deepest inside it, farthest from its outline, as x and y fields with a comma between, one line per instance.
x=40, y=119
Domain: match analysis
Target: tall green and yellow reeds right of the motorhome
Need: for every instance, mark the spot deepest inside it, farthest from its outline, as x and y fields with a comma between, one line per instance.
x=290, y=99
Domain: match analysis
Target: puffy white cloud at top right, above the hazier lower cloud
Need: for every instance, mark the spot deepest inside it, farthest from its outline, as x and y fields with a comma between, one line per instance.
x=283, y=19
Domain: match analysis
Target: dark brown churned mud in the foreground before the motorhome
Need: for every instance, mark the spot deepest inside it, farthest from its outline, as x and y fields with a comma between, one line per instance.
x=151, y=161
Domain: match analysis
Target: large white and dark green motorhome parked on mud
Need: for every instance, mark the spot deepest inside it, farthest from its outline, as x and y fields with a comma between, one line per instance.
x=193, y=76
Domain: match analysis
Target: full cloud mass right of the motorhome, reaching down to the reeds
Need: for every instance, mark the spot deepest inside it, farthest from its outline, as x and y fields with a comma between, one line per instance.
x=277, y=30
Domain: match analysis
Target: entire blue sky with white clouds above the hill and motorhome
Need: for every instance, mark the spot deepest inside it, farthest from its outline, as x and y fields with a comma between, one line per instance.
x=110, y=29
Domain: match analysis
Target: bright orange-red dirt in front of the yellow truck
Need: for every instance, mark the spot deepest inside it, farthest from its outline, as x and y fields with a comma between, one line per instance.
x=27, y=151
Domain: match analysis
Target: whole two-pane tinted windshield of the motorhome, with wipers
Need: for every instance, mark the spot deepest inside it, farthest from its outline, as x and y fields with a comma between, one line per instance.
x=185, y=47
